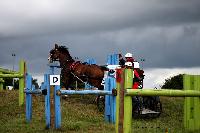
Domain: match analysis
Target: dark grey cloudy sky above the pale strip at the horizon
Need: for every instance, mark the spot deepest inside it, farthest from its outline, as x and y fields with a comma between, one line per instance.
x=164, y=32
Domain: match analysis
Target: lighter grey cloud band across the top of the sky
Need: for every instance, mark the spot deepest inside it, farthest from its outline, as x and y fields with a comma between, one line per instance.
x=59, y=17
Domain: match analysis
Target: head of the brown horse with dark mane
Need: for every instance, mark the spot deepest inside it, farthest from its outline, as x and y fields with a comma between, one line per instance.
x=59, y=53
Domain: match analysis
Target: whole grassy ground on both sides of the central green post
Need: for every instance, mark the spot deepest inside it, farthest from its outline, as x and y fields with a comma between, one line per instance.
x=80, y=115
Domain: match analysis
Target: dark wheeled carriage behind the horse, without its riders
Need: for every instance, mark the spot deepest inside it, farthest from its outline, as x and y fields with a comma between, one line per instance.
x=143, y=106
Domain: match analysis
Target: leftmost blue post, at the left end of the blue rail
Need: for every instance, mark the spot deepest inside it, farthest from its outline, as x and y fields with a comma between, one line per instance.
x=28, y=98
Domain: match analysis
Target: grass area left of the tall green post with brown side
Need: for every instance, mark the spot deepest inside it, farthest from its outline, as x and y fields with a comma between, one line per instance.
x=79, y=114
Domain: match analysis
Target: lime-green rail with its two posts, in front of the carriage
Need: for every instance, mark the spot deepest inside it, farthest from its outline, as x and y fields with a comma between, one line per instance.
x=191, y=93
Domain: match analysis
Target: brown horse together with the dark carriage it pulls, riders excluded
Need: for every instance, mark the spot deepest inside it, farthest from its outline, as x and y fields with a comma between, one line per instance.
x=93, y=74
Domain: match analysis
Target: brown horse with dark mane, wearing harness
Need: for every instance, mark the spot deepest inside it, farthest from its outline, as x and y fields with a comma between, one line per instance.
x=71, y=69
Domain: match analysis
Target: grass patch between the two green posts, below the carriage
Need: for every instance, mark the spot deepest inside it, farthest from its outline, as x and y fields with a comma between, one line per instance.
x=171, y=118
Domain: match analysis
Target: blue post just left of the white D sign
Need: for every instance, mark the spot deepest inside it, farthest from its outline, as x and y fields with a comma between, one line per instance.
x=47, y=100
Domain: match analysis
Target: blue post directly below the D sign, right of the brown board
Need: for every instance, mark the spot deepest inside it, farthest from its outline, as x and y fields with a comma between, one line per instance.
x=57, y=107
